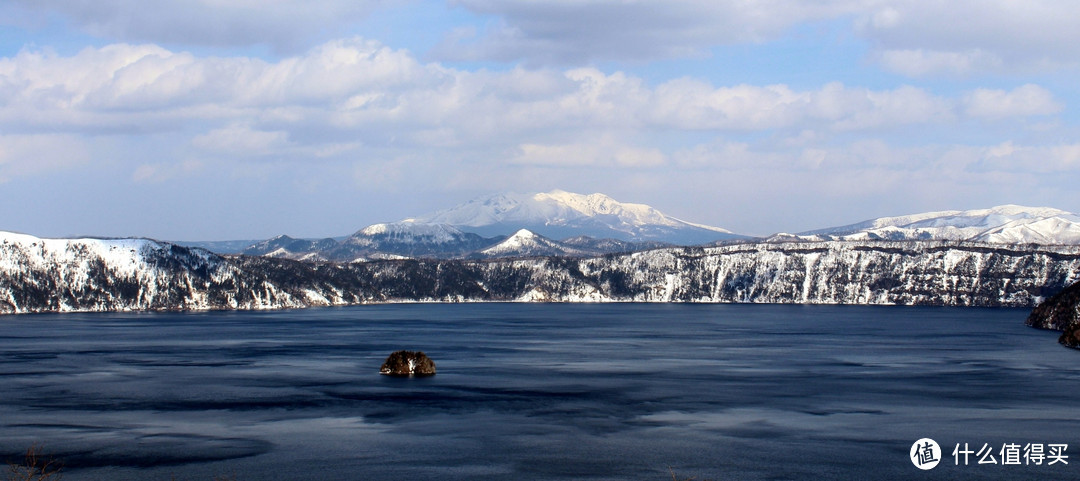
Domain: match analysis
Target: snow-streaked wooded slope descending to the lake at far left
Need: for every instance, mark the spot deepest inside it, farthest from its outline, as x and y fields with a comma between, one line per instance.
x=118, y=275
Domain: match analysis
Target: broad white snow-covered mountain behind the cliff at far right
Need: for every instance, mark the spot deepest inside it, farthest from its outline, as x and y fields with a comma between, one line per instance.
x=1004, y=224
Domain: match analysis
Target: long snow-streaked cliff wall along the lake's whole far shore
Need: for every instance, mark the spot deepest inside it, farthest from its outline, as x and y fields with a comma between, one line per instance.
x=39, y=276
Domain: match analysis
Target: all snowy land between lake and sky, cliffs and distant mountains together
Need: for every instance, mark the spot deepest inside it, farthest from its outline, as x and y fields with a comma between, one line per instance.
x=1008, y=256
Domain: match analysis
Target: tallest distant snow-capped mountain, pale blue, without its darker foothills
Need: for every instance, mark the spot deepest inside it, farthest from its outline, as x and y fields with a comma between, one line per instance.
x=560, y=215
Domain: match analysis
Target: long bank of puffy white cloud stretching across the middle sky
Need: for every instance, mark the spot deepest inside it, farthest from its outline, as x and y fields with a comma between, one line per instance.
x=360, y=91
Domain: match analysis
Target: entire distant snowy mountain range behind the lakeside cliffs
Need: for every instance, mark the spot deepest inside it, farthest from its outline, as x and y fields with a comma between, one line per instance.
x=566, y=224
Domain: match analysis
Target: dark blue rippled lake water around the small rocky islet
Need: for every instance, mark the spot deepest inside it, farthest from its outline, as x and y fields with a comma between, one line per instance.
x=537, y=392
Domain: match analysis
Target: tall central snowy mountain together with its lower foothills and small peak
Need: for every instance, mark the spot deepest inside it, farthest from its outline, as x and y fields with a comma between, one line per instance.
x=508, y=225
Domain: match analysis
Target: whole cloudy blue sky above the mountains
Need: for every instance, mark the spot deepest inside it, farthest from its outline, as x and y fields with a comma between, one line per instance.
x=244, y=119
